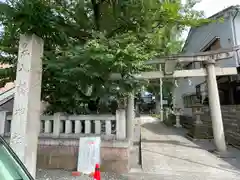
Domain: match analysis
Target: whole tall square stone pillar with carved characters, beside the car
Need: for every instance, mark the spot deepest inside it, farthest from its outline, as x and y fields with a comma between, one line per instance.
x=27, y=105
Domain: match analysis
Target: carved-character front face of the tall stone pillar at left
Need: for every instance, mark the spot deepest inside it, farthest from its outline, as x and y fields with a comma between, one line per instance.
x=19, y=121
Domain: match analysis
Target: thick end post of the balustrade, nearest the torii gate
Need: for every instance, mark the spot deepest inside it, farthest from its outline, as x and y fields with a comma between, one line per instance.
x=121, y=124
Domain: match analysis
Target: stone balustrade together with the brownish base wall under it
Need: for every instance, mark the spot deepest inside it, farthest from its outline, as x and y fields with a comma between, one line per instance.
x=58, y=143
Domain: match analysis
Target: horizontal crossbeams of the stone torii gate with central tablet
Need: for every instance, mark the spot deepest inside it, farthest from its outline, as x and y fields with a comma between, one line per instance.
x=171, y=62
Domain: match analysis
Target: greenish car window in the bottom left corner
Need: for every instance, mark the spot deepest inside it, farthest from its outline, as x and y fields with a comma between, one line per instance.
x=11, y=168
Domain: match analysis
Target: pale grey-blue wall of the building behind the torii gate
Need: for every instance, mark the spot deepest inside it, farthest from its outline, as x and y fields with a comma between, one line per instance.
x=198, y=39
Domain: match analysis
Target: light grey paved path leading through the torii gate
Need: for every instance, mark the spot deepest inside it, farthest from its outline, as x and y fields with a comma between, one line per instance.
x=166, y=153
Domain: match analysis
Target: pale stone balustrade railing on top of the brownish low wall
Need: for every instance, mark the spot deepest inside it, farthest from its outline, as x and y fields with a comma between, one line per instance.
x=74, y=126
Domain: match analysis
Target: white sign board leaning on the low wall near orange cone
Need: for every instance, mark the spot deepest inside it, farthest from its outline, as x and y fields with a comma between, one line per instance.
x=89, y=154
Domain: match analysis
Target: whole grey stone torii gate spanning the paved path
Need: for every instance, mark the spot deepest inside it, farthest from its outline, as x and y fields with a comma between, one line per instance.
x=210, y=71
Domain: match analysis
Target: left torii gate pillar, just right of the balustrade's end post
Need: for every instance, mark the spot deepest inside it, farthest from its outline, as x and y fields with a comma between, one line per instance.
x=130, y=116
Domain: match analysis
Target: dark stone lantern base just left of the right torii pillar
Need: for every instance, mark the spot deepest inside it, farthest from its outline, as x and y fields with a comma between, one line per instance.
x=200, y=131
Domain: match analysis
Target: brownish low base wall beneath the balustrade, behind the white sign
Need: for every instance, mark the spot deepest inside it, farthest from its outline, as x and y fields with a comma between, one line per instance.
x=57, y=154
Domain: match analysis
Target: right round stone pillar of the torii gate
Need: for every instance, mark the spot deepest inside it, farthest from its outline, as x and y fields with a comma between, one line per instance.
x=215, y=108
